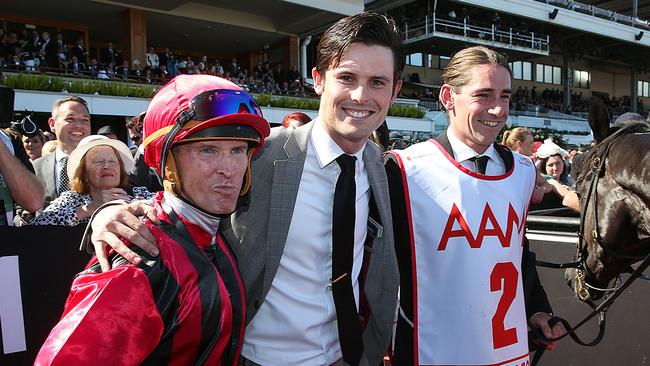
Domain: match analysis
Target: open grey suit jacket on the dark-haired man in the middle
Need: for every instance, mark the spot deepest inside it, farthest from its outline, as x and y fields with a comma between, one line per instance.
x=258, y=232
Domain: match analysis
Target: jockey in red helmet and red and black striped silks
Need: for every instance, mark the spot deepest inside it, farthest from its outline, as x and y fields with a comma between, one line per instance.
x=186, y=305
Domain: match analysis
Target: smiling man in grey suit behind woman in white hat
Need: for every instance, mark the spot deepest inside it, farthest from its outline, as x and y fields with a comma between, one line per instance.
x=70, y=121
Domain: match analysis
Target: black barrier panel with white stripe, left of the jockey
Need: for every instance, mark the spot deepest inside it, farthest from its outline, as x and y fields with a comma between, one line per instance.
x=37, y=266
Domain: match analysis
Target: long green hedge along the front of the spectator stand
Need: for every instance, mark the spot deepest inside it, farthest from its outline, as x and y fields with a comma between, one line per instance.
x=121, y=89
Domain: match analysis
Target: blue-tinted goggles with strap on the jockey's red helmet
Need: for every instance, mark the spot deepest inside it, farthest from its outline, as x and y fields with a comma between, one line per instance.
x=208, y=105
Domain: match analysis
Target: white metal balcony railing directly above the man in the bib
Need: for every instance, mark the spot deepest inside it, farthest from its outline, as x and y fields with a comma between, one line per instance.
x=433, y=25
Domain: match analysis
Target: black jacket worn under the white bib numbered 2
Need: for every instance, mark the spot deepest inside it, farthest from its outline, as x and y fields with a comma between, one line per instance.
x=534, y=294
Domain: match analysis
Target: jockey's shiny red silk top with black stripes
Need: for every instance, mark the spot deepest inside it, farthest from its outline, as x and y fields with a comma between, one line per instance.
x=173, y=312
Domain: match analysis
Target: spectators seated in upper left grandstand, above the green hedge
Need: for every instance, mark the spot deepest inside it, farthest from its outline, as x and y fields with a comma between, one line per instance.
x=37, y=52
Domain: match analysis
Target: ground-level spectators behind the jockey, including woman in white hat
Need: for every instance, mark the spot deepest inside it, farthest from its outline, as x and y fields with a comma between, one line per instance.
x=76, y=192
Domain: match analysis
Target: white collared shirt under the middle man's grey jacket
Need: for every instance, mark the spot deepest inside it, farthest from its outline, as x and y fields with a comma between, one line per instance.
x=296, y=324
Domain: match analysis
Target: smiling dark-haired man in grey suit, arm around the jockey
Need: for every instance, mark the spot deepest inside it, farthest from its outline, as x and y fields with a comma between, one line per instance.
x=296, y=292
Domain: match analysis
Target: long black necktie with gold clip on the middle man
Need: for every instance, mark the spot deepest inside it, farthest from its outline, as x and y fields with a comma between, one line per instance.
x=342, y=252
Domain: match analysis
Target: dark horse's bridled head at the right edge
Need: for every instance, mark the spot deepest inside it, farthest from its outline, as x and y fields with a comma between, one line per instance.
x=614, y=189
